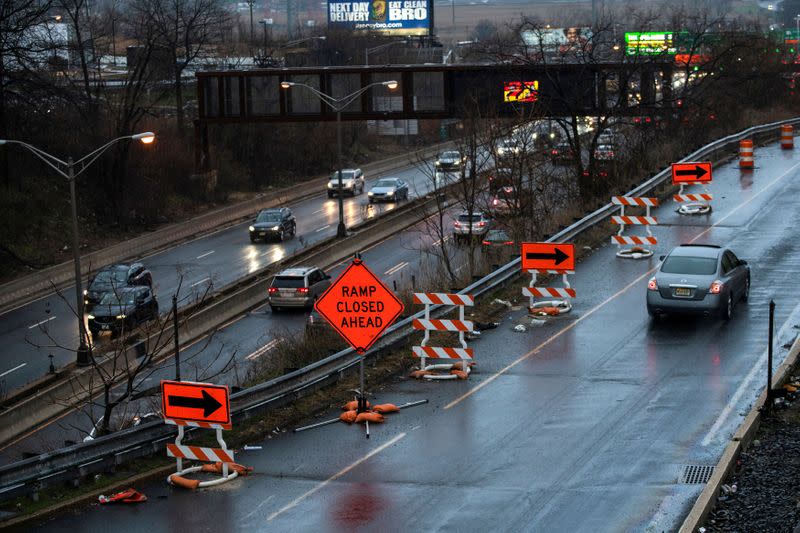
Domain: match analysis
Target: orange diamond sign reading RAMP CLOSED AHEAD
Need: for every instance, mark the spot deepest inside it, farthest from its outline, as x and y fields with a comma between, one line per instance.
x=359, y=306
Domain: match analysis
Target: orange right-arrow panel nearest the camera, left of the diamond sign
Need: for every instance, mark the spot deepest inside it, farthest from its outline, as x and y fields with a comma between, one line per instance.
x=195, y=402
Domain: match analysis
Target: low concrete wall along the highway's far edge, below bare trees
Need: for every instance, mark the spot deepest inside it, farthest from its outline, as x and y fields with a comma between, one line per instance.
x=38, y=284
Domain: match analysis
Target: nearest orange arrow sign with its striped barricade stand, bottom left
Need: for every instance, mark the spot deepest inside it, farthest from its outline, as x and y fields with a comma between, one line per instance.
x=204, y=405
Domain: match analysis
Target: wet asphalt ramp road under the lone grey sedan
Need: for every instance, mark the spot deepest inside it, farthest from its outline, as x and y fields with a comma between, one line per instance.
x=580, y=425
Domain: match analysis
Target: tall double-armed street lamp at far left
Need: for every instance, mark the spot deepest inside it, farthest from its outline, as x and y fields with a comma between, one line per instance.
x=67, y=170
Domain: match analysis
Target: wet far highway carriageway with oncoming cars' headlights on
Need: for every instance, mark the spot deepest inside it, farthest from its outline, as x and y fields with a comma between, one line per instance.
x=219, y=258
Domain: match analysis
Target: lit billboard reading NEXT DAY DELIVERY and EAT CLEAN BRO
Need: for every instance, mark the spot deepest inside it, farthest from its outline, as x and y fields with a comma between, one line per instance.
x=390, y=17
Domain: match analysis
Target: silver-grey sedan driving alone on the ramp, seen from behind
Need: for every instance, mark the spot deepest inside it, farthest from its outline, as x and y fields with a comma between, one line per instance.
x=698, y=279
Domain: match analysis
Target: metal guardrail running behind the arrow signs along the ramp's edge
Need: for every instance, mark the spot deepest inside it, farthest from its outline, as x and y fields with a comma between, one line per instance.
x=80, y=460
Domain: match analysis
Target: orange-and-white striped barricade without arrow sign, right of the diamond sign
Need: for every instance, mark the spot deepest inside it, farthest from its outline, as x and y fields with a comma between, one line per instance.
x=461, y=326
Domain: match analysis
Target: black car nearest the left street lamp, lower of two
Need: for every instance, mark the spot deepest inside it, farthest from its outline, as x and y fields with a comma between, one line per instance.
x=123, y=310
